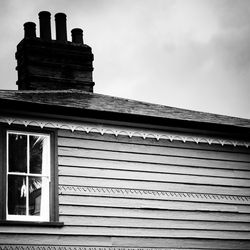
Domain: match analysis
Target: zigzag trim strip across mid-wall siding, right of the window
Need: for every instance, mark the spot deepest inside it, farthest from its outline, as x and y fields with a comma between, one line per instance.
x=151, y=194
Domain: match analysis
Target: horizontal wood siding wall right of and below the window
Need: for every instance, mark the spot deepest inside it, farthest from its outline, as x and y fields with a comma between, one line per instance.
x=131, y=193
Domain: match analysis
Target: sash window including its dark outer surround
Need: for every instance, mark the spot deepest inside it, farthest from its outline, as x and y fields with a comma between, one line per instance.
x=28, y=177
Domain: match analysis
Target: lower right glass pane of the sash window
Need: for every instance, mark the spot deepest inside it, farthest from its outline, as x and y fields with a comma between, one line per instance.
x=35, y=188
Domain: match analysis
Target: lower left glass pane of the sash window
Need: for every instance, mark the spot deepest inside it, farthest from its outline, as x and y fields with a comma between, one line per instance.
x=17, y=194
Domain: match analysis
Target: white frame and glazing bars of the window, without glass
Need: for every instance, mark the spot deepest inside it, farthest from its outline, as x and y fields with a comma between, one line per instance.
x=45, y=175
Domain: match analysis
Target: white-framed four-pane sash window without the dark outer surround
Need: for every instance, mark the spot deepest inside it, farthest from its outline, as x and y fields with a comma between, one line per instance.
x=28, y=176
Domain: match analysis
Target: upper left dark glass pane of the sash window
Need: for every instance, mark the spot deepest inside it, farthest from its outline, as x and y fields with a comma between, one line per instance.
x=17, y=153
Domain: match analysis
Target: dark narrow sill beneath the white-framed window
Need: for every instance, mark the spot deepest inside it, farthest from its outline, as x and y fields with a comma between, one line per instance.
x=32, y=223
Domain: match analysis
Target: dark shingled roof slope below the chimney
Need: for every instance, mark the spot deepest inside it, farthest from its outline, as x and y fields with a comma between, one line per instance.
x=78, y=99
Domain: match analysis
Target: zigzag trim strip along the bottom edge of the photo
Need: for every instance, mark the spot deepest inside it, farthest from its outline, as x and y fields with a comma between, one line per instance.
x=51, y=247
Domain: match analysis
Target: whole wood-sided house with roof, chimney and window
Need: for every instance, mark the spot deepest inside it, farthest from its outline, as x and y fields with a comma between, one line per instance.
x=81, y=170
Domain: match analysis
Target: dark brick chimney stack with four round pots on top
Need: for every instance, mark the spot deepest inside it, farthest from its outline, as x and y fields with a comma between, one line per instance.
x=47, y=64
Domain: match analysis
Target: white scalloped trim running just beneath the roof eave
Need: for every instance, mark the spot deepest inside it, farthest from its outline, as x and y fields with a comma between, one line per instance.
x=118, y=130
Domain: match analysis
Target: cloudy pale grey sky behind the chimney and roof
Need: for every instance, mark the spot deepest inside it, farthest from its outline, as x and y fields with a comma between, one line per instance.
x=192, y=54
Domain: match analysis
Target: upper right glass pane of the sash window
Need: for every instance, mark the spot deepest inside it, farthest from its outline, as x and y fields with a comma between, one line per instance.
x=36, y=154
